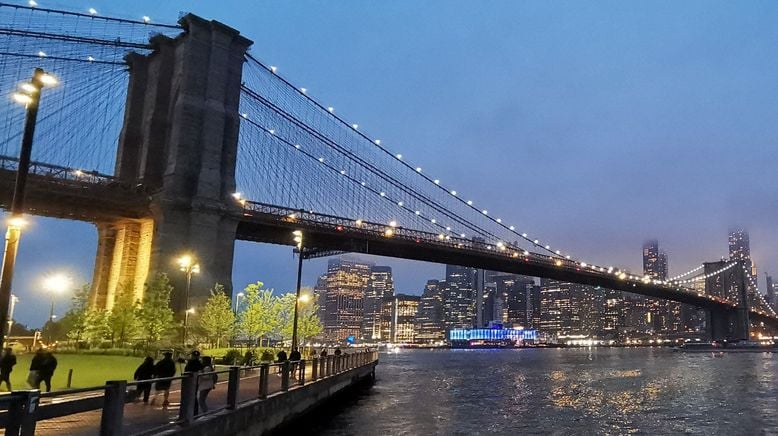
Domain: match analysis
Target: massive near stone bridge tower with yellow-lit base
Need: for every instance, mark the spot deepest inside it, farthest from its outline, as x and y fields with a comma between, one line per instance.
x=179, y=141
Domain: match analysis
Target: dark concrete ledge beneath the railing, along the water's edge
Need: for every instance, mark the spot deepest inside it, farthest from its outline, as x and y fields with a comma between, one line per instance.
x=258, y=417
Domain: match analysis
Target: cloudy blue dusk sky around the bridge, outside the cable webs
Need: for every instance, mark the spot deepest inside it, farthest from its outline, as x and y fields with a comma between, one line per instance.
x=595, y=126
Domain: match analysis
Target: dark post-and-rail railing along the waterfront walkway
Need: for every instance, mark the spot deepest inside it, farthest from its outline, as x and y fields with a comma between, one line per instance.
x=116, y=407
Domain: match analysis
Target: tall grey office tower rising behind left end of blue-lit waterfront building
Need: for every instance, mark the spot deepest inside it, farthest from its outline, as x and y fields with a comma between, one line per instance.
x=459, y=297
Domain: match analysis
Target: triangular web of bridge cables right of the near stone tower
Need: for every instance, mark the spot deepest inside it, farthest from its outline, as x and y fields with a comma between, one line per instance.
x=297, y=153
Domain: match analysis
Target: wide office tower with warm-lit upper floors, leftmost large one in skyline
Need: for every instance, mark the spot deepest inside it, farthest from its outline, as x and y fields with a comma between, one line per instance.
x=345, y=284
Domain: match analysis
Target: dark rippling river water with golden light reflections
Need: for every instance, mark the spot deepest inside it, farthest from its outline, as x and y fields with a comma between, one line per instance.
x=560, y=391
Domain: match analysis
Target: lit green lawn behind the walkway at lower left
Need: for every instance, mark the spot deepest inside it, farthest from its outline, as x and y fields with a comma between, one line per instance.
x=88, y=370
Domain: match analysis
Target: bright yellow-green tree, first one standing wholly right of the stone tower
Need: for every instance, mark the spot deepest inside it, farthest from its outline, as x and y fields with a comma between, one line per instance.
x=258, y=318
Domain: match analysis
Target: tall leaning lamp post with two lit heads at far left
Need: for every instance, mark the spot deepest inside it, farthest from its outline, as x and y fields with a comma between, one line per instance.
x=30, y=97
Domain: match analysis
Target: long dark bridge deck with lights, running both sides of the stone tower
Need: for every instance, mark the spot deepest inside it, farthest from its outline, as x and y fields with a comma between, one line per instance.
x=66, y=193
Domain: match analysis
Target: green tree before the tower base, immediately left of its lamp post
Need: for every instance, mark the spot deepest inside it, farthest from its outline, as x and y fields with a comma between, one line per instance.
x=155, y=315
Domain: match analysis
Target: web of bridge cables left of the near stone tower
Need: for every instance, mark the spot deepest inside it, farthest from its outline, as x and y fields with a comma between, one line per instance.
x=80, y=118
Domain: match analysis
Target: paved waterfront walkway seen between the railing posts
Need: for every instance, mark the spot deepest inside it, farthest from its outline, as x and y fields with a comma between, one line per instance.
x=139, y=417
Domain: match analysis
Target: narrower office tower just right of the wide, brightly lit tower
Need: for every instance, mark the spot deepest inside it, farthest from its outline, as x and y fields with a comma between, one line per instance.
x=380, y=289
